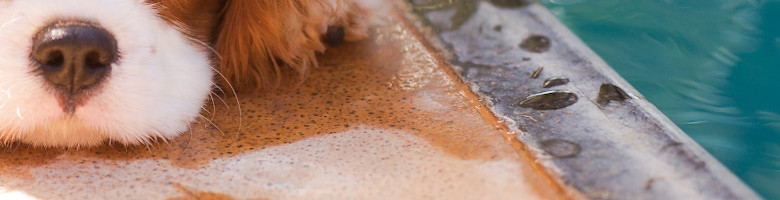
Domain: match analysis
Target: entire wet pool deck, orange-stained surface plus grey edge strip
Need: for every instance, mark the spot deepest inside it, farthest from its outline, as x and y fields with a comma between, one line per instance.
x=405, y=116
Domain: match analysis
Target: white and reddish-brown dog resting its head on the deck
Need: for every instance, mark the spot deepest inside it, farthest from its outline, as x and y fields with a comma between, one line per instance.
x=78, y=73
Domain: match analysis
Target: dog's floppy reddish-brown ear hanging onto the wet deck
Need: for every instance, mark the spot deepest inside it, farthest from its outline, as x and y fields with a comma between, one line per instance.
x=258, y=40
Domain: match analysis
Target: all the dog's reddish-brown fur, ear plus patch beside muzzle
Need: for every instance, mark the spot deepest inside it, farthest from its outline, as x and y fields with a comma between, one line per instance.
x=257, y=41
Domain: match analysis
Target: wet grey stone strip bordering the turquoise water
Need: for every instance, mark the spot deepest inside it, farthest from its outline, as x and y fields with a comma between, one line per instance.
x=590, y=128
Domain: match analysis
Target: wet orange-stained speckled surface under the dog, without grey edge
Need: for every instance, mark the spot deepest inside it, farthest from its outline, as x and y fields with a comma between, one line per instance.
x=382, y=118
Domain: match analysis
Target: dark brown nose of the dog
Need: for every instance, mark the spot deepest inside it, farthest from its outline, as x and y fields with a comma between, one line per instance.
x=74, y=56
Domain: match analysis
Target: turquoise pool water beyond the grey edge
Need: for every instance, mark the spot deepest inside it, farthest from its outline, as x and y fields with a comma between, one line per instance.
x=712, y=66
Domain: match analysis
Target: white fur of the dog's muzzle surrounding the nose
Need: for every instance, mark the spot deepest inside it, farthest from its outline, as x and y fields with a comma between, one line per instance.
x=155, y=91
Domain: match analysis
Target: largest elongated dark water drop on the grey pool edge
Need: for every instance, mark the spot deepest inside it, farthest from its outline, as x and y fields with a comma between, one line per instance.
x=550, y=100
